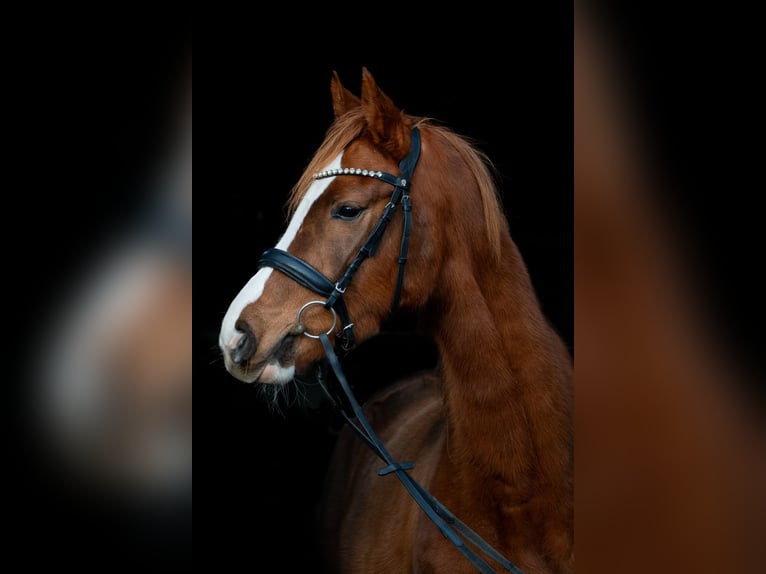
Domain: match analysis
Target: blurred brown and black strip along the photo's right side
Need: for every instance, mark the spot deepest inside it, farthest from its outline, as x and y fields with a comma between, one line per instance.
x=668, y=241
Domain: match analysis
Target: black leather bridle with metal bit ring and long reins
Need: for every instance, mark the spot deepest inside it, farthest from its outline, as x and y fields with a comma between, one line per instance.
x=308, y=276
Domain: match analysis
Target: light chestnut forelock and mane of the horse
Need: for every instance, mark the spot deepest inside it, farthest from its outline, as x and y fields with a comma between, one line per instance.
x=351, y=125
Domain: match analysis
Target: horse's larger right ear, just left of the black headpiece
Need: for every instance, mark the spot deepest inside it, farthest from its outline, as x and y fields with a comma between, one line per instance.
x=389, y=127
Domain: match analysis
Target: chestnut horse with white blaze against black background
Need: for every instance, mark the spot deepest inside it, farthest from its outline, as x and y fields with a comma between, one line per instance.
x=490, y=429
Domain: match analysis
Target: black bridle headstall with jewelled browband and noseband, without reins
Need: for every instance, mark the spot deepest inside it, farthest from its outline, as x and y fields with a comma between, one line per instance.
x=310, y=277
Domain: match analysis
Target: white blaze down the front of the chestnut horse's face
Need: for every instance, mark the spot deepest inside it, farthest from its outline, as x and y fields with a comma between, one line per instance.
x=254, y=288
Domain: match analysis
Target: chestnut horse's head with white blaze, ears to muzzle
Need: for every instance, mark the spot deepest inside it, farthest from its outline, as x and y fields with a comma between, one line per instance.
x=332, y=218
